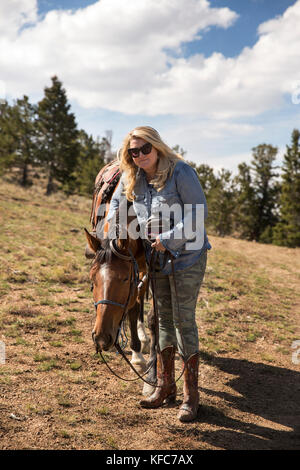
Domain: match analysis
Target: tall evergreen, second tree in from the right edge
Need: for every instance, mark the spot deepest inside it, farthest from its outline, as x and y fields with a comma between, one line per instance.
x=266, y=191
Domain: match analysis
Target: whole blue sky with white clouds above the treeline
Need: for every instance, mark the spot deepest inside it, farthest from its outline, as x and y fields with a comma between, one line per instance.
x=216, y=77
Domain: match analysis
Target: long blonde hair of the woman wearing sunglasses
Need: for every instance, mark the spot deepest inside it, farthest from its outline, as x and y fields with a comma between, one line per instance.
x=167, y=159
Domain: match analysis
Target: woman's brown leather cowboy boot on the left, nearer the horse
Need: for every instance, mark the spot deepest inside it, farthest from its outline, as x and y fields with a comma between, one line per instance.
x=166, y=389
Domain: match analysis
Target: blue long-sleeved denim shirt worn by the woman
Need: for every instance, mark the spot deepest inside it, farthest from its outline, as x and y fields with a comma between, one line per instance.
x=185, y=237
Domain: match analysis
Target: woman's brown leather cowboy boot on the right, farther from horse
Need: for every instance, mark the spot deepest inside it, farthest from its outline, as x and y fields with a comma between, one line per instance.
x=189, y=408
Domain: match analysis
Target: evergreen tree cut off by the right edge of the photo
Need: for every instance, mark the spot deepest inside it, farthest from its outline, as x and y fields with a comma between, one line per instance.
x=287, y=231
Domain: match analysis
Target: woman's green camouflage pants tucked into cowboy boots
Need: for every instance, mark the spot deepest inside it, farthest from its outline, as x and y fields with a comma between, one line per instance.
x=177, y=324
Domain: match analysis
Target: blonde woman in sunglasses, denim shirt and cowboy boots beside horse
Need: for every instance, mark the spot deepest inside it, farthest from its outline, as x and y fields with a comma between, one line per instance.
x=154, y=178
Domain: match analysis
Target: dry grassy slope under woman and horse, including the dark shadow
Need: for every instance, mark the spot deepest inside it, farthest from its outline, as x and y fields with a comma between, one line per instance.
x=56, y=394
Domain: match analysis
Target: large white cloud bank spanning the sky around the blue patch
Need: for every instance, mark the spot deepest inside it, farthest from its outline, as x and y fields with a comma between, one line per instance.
x=116, y=55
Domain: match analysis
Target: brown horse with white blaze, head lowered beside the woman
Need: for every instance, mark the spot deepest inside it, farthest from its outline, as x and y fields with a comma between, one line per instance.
x=114, y=273
